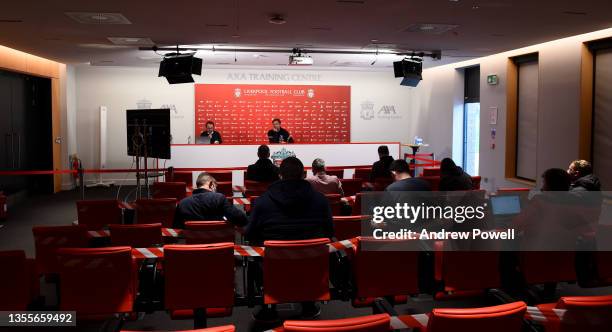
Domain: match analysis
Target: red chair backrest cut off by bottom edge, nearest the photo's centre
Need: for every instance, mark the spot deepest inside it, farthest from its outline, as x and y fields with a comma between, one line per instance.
x=371, y=323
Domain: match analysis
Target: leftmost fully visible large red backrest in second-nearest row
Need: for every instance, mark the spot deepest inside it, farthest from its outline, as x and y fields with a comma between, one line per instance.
x=108, y=275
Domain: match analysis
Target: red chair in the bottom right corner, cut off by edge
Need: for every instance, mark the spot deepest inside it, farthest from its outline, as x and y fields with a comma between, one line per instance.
x=584, y=313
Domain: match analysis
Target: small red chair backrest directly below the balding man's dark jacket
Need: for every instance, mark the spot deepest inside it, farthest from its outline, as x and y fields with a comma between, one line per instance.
x=205, y=232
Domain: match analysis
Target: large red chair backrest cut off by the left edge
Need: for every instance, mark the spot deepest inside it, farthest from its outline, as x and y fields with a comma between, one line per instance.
x=19, y=284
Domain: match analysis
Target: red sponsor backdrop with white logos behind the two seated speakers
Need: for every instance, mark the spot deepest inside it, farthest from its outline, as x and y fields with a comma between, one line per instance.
x=243, y=113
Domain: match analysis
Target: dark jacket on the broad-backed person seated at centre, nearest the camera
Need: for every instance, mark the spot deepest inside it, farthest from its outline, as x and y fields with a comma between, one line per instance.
x=290, y=210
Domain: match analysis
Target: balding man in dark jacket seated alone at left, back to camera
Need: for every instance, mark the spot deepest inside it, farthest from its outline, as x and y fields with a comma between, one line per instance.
x=206, y=204
